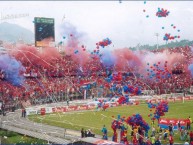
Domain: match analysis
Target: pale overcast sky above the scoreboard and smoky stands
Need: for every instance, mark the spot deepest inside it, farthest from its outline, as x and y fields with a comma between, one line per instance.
x=124, y=23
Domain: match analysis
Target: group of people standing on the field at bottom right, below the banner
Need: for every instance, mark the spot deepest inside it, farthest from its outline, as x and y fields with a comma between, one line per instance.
x=158, y=135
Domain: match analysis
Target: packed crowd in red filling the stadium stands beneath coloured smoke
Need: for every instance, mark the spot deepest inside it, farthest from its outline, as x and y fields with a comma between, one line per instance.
x=68, y=77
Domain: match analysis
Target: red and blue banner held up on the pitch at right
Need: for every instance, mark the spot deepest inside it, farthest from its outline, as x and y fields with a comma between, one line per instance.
x=164, y=123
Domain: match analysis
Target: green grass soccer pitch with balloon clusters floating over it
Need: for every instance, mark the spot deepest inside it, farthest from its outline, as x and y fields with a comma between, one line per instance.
x=96, y=119
